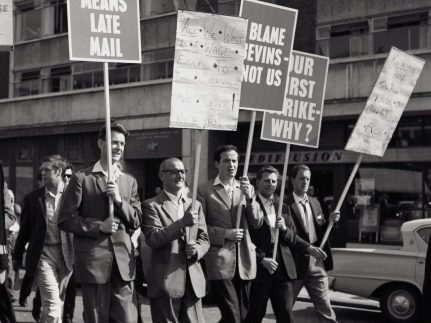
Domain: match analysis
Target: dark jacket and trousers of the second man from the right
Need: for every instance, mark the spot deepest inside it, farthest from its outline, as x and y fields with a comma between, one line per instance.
x=278, y=286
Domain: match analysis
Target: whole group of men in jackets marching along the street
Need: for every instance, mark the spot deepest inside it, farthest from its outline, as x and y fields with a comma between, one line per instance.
x=87, y=225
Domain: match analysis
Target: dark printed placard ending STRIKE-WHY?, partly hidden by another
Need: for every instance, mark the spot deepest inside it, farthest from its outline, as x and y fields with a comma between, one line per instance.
x=301, y=118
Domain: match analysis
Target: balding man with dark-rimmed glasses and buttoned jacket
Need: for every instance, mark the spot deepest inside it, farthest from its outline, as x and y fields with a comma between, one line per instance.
x=176, y=282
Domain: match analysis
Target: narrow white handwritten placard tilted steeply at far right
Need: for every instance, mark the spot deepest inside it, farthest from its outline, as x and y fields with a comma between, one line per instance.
x=385, y=105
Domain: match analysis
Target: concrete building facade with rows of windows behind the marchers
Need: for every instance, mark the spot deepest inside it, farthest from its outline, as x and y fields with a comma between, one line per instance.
x=53, y=105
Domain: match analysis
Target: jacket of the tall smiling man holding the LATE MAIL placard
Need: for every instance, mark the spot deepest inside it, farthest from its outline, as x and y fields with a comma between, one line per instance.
x=84, y=206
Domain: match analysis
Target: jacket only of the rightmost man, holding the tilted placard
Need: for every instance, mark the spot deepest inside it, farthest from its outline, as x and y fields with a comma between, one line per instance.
x=301, y=259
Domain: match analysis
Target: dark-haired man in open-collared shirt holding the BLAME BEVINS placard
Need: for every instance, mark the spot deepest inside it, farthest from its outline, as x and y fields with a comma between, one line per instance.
x=231, y=260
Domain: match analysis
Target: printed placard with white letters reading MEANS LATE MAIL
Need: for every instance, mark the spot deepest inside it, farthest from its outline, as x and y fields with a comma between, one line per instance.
x=104, y=30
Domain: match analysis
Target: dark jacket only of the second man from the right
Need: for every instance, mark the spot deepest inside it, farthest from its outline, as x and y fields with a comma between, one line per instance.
x=288, y=241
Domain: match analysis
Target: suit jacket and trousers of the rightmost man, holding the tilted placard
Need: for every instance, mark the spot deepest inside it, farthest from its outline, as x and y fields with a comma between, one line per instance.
x=312, y=275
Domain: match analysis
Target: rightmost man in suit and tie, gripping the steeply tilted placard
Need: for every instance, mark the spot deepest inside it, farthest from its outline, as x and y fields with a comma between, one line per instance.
x=310, y=223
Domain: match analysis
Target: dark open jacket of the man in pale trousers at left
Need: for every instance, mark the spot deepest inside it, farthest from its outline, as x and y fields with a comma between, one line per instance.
x=33, y=230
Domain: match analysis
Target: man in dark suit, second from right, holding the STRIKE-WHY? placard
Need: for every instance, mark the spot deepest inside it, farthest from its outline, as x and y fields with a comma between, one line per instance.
x=274, y=278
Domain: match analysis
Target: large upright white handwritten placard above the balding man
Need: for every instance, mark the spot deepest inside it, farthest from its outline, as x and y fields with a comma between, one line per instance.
x=208, y=65
